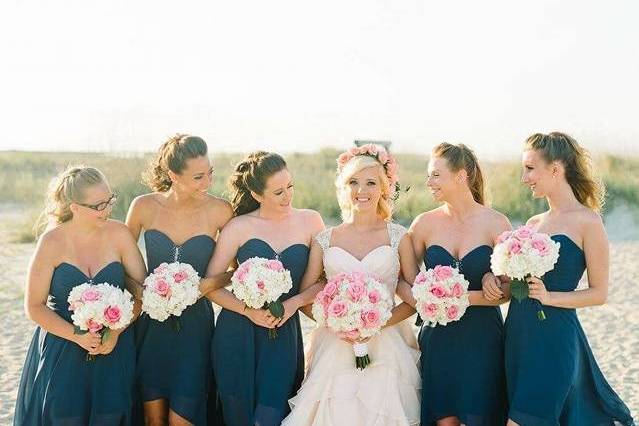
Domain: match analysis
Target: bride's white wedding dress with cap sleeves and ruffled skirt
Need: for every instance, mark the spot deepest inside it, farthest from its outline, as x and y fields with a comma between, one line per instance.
x=387, y=392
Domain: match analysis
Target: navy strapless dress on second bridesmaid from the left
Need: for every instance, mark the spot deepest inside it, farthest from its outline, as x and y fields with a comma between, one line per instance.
x=175, y=364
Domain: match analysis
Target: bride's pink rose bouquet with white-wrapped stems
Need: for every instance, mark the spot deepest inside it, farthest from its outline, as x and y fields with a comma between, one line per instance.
x=356, y=306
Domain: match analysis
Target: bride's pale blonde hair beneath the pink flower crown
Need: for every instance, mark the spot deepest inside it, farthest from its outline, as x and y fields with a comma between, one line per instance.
x=355, y=165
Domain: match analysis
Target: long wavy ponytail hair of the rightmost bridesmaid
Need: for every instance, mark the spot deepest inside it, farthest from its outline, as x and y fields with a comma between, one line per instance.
x=588, y=188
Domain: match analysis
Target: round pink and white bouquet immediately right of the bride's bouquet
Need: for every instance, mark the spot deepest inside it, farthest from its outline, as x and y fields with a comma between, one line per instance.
x=441, y=294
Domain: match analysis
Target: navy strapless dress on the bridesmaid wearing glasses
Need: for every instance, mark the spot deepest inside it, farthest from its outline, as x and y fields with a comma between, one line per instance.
x=58, y=385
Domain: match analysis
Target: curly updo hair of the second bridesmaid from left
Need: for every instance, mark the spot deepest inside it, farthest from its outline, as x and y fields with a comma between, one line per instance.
x=172, y=155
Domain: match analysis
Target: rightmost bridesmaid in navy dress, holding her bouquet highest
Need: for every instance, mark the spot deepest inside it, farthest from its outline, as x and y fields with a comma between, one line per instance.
x=560, y=383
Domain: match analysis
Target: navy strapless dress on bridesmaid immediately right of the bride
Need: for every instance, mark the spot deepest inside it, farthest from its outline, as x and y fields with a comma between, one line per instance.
x=463, y=362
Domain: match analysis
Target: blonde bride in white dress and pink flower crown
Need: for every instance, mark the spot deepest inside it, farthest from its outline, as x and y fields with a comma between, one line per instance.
x=386, y=392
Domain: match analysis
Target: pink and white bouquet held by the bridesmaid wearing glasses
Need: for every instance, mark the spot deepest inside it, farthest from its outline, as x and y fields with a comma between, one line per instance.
x=99, y=308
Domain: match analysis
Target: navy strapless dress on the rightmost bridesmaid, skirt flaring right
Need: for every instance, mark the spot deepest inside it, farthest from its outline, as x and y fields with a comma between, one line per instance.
x=552, y=375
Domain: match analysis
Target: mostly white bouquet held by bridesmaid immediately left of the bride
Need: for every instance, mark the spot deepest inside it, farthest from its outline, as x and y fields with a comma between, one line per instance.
x=259, y=283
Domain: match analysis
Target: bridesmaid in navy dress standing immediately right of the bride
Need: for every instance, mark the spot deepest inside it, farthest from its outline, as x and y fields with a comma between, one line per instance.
x=462, y=363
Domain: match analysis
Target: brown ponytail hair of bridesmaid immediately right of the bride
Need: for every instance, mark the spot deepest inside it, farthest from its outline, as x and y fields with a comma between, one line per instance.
x=461, y=157
